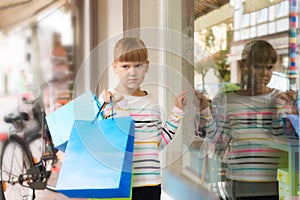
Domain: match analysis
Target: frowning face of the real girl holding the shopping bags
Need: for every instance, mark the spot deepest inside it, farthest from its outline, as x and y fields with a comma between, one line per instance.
x=131, y=74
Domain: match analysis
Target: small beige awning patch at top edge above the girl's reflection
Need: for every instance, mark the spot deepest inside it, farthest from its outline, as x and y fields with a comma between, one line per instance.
x=252, y=6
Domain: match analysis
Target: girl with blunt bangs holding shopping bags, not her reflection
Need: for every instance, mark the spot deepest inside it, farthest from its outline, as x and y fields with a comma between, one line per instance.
x=131, y=65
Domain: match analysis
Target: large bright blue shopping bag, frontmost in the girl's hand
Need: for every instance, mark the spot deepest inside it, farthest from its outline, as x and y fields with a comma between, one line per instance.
x=98, y=159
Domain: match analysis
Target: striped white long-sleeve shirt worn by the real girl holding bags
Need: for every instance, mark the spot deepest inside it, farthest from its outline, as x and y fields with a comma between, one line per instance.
x=151, y=135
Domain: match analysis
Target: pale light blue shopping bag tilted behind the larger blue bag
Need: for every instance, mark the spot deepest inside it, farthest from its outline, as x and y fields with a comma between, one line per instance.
x=60, y=122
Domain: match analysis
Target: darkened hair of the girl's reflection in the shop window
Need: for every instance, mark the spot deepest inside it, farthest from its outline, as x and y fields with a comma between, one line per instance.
x=259, y=51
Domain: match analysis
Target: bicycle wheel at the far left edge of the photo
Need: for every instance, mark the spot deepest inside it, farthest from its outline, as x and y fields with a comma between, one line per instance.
x=15, y=160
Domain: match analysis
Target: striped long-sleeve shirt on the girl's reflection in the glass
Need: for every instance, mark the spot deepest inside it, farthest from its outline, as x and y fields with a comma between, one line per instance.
x=250, y=123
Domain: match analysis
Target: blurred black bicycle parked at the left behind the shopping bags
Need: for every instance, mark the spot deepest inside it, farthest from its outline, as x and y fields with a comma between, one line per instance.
x=27, y=155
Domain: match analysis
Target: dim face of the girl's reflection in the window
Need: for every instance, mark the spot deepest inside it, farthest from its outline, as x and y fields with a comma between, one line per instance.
x=260, y=74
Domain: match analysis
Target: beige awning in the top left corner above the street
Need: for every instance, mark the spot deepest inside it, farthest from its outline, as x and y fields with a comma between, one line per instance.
x=19, y=13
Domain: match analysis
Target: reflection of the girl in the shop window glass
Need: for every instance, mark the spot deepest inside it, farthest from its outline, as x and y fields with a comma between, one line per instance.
x=252, y=117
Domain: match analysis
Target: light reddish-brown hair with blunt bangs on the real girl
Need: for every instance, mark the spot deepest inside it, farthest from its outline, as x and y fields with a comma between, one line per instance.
x=130, y=49
